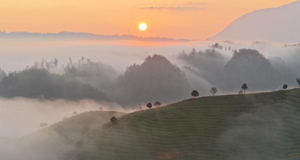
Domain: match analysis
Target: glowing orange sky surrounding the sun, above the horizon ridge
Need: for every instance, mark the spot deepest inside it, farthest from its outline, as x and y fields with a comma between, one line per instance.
x=190, y=19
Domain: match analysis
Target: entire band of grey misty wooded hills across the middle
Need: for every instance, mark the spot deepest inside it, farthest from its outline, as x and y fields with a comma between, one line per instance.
x=156, y=78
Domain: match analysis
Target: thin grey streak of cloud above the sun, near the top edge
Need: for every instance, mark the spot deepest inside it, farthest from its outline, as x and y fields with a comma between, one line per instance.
x=190, y=6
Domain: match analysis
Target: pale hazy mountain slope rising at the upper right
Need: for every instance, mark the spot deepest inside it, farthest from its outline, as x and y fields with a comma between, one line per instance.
x=279, y=24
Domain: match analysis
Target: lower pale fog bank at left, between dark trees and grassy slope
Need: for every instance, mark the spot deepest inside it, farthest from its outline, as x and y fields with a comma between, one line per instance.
x=20, y=116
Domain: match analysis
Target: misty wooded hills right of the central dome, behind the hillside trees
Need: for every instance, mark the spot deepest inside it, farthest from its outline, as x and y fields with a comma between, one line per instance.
x=246, y=65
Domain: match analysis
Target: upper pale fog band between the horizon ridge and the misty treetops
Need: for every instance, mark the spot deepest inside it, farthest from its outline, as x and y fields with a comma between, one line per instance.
x=19, y=53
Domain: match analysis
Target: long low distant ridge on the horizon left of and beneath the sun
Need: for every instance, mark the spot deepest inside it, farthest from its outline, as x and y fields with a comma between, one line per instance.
x=83, y=35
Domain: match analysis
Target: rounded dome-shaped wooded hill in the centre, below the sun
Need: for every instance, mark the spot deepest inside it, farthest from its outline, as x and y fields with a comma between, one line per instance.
x=156, y=78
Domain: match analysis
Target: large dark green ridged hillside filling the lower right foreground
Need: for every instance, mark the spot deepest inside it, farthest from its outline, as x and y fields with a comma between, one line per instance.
x=233, y=127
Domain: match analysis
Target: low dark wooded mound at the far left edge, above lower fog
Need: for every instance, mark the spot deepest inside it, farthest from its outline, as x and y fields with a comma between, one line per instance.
x=40, y=83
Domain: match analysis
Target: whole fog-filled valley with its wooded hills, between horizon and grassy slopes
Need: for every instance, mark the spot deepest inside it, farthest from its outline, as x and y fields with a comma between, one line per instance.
x=43, y=83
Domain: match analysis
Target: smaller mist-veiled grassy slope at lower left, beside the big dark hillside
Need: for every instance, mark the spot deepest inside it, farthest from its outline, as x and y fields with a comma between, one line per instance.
x=53, y=141
